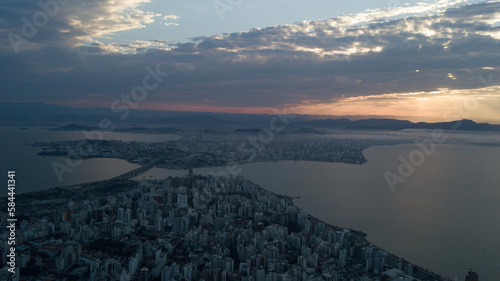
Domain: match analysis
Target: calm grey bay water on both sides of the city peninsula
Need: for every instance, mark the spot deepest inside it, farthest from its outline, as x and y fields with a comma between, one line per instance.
x=455, y=193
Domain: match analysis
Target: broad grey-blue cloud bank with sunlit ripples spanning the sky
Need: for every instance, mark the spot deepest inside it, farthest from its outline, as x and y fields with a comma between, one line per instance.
x=369, y=54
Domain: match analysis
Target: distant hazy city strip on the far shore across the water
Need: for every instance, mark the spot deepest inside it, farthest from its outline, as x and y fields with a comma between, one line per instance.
x=205, y=150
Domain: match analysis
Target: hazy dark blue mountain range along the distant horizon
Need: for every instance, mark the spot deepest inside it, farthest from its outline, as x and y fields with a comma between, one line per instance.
x=151, y=121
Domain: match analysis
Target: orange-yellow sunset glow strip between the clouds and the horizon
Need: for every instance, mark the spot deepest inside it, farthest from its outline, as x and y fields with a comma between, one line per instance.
x=436, y=106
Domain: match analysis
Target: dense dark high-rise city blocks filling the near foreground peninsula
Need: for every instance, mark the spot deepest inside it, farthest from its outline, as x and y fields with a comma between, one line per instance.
x=191, y=228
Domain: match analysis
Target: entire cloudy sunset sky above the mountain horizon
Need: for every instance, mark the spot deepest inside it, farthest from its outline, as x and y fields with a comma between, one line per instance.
x=416, y=60
